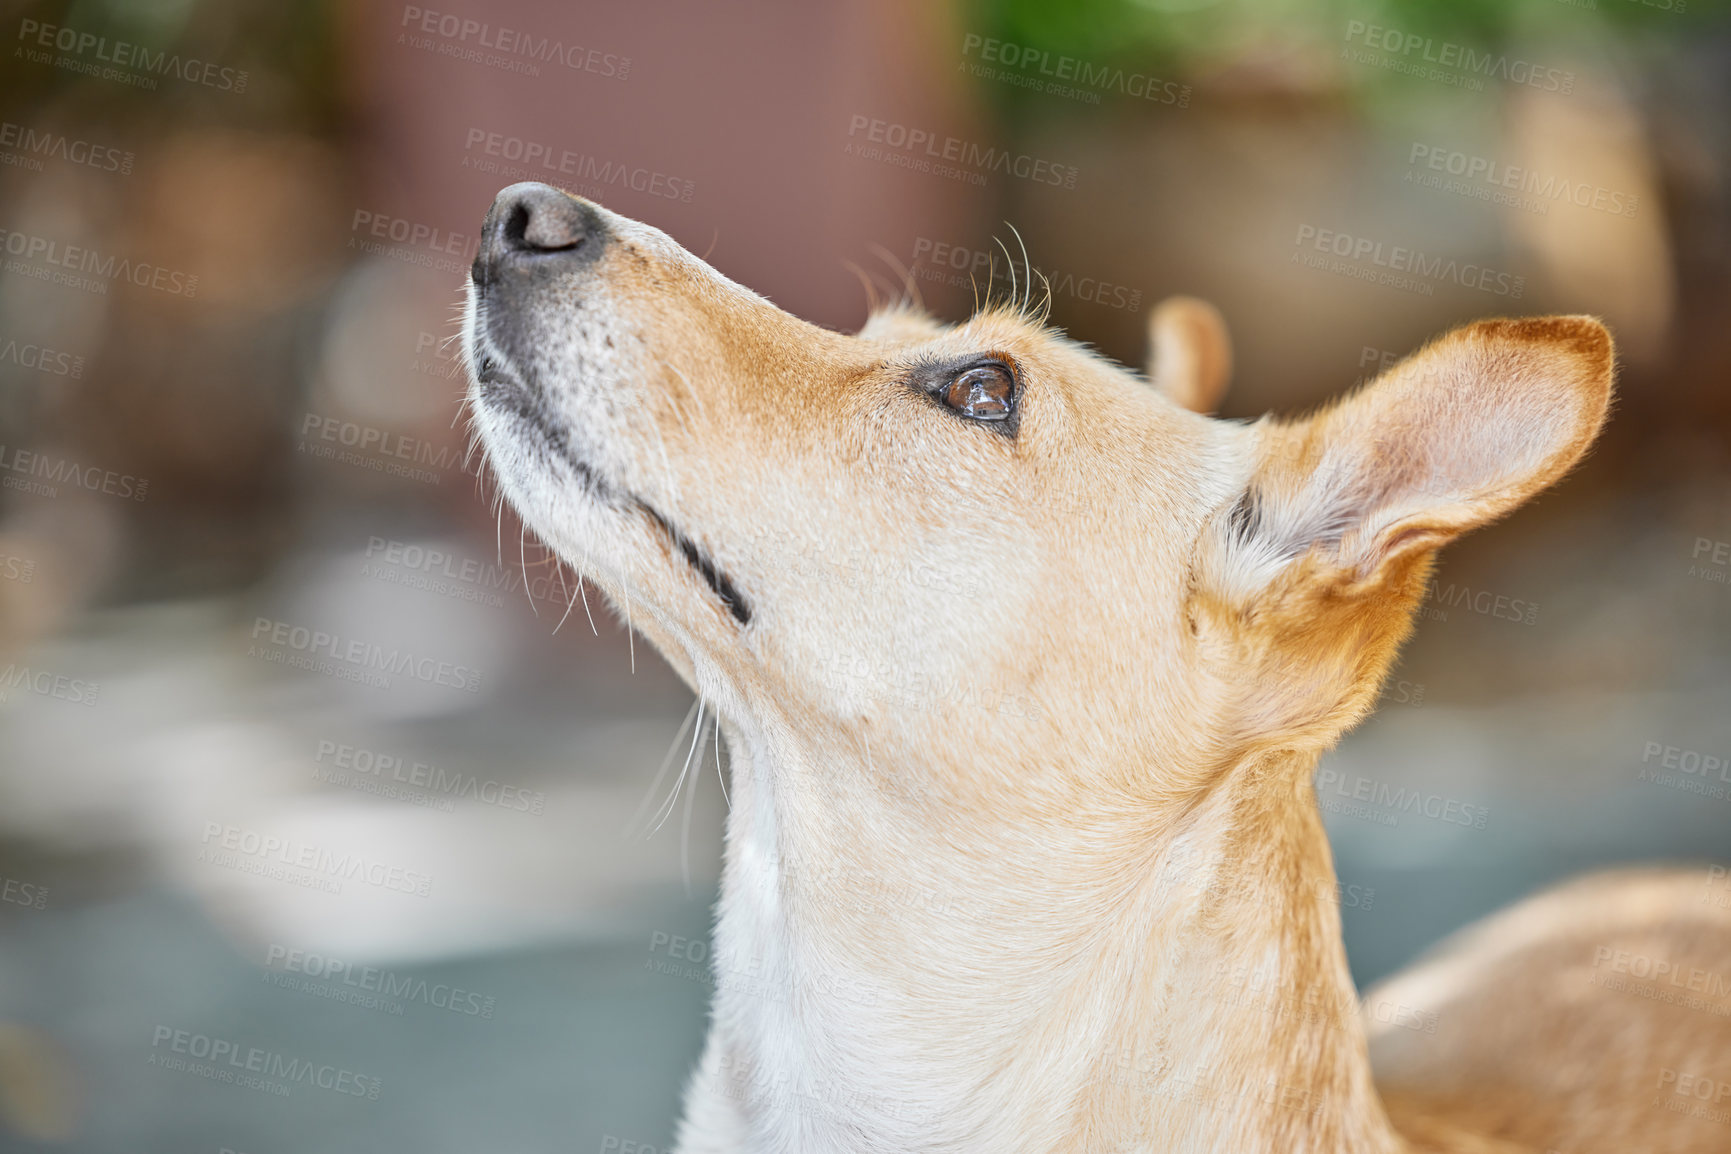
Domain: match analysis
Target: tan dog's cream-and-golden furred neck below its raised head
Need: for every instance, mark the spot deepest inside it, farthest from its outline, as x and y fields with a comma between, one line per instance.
x=1114, y=973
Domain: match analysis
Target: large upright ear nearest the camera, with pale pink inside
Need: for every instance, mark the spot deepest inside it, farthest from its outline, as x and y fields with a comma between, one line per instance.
x=1451, y=439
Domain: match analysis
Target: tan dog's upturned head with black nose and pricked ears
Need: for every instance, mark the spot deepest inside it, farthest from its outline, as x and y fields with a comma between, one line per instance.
x=974, y=546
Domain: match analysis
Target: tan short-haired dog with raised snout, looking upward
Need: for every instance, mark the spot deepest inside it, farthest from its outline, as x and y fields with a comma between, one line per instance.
x=1024, y=670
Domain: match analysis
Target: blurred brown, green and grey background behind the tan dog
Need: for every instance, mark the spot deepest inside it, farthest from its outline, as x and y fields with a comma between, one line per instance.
x=262, y=899
